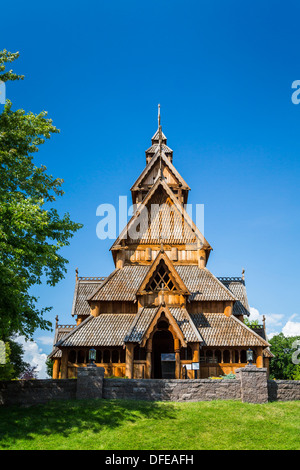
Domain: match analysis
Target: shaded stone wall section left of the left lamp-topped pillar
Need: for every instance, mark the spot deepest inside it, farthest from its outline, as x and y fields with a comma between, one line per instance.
x=30, y=392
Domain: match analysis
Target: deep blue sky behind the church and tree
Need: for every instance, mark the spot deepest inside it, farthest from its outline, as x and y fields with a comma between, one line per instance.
x=222, y=72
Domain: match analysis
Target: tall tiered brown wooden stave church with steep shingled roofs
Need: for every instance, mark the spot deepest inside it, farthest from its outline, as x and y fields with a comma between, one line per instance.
x=161, y=298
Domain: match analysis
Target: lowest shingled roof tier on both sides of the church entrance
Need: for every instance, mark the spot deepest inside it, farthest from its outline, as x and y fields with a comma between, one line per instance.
x=114, y=329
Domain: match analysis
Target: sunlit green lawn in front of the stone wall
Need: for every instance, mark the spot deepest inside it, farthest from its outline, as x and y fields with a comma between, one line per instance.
x=120, y=425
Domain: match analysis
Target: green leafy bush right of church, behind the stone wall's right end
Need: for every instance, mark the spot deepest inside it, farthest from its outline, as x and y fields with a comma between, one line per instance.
x=281, y=366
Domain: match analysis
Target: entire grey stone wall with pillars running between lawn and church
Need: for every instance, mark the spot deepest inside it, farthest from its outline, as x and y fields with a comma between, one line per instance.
x=251, y=385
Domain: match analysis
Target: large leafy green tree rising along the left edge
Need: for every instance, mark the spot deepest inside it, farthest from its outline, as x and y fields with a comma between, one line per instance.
x=31, y=231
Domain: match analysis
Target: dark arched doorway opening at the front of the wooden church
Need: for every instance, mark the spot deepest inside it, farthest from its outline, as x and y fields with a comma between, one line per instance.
x=162, y=343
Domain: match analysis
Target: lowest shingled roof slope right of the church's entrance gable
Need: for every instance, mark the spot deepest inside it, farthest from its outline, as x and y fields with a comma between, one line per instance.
x=217, y=329
